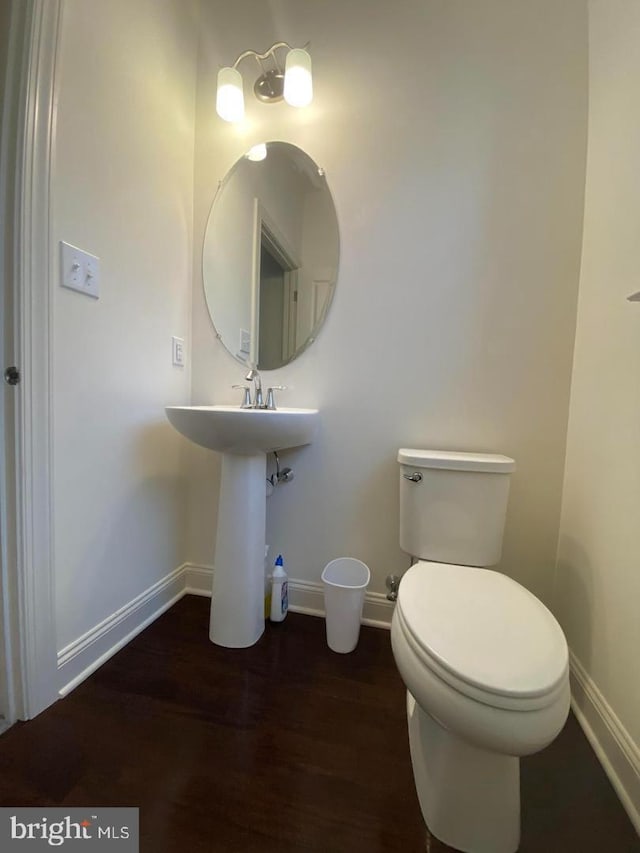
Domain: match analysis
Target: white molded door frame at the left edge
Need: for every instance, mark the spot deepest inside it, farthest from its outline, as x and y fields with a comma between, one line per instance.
x=28, y=582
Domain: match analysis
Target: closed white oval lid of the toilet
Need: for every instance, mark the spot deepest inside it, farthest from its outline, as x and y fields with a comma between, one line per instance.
x=484, y=629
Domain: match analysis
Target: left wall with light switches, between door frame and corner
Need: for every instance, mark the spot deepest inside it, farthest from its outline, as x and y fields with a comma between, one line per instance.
x=122, y=189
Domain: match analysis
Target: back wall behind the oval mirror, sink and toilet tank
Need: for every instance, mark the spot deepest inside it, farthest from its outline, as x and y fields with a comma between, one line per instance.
x=453, y=138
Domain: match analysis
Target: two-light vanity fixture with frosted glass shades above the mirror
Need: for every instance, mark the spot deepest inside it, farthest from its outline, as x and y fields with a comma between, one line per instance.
x=293, y=83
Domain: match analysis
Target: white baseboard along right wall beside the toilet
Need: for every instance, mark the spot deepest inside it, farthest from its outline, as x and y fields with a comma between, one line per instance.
x=611, y=742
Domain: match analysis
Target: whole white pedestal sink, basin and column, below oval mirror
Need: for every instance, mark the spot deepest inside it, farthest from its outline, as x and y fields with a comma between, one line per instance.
x=244, y=437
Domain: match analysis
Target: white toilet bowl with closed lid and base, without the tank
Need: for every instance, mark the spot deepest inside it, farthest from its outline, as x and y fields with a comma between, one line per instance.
x=486, y=670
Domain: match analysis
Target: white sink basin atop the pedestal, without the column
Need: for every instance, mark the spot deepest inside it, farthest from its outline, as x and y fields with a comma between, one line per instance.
x=229, y=429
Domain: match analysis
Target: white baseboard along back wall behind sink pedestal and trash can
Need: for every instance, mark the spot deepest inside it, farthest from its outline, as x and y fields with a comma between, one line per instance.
x=304, y=597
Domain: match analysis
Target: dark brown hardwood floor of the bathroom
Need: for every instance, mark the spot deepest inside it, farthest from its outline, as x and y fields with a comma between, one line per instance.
x=279, y=748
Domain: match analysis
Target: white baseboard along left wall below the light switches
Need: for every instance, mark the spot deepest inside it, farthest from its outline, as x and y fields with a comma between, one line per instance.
x=85, y=654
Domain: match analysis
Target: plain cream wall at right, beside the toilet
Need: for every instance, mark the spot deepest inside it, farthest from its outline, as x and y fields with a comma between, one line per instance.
x=598, y=576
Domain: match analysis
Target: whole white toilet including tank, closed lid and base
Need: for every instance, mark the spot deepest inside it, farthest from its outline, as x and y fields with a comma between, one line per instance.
x=485, y=664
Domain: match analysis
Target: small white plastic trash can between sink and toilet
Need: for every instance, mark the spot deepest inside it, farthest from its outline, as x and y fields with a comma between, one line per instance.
x=345, y=582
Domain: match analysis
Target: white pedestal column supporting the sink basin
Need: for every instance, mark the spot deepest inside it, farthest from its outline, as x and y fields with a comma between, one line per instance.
x=237, y=603
